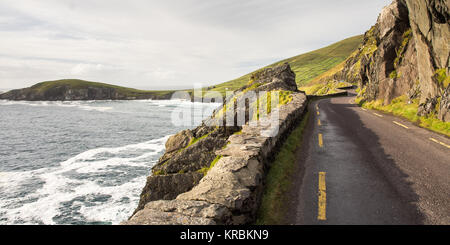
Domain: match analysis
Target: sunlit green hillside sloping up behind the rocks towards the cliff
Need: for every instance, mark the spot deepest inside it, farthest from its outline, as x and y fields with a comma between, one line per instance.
x=306, y=66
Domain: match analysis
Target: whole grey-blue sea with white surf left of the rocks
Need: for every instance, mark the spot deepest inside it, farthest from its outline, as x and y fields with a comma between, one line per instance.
x=82, y=162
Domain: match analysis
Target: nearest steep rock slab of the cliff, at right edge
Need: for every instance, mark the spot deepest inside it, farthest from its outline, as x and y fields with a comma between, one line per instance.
x=430, y=23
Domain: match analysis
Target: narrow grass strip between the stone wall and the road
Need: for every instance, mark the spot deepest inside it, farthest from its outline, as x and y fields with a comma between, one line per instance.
x=279, y=179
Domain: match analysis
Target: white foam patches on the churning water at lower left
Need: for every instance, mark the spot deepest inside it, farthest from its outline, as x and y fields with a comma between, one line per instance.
x=59, y=187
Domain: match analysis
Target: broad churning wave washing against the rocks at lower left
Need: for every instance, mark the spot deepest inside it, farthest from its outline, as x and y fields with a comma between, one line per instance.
x=90, y=186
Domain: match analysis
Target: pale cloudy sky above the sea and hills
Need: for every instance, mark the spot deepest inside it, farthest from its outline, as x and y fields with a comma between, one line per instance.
x=166, y=44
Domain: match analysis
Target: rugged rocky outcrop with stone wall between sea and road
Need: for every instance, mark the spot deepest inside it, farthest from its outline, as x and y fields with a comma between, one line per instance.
x=234, y=160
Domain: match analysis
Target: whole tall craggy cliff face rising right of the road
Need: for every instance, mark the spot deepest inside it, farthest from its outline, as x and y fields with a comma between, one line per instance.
x=406, y=53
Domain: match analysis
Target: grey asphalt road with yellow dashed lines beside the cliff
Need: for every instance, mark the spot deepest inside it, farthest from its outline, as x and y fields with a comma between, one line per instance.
x=359, y=166
